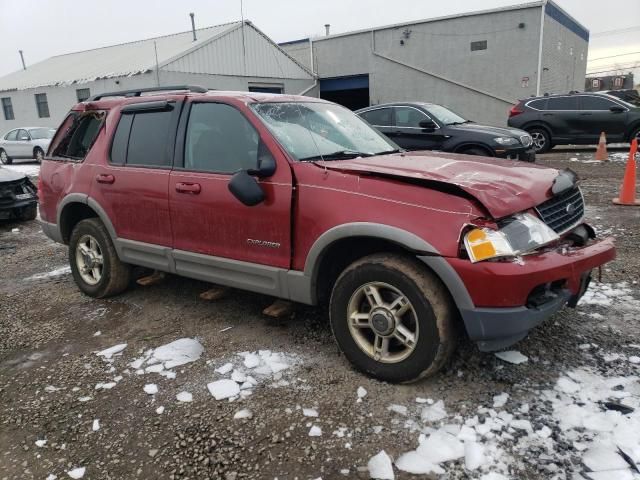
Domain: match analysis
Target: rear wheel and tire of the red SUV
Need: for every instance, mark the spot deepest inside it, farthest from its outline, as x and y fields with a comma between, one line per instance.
x=95, y=265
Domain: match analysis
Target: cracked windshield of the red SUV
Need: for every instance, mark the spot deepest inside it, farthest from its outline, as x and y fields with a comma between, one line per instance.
x=313, y=130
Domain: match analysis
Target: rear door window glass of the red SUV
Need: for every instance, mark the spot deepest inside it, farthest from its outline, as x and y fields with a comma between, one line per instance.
x=141, y=139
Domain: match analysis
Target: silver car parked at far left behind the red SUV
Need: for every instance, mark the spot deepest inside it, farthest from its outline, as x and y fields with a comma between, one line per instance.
x=26, y=142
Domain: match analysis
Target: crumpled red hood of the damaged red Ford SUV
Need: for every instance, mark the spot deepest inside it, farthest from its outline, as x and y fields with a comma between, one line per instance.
x=503, y=187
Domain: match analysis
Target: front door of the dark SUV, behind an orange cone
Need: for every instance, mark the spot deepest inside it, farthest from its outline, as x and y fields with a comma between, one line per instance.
x=596, y=117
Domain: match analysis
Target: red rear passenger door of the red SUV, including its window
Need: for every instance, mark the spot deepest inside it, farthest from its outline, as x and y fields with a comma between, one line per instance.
x=131, y=185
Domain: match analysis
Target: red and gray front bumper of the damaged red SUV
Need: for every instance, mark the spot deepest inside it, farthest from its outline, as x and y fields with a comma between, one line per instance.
x=501, y=292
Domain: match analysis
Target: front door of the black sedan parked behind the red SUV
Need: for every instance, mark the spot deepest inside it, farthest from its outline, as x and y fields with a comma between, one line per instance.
x=410, y=134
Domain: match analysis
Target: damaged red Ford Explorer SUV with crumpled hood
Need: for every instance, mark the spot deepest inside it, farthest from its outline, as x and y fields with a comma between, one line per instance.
x=299, y=198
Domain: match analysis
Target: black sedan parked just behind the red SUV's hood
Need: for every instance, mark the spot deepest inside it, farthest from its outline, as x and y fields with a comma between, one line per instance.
x=427, y=126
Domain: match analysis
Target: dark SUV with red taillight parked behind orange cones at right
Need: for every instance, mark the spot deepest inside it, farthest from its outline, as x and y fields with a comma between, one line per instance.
x=576, y=118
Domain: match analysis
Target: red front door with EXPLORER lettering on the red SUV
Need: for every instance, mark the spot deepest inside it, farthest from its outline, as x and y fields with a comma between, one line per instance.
x=211, y=227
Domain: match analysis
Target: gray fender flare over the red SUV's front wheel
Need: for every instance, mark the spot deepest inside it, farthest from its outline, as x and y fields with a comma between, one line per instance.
x=424, y=251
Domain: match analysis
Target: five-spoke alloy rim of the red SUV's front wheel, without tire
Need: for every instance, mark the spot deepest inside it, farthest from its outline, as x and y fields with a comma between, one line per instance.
x=383, y=322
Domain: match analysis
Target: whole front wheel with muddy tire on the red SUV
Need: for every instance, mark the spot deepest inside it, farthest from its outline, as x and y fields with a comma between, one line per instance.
x=393, y=318
